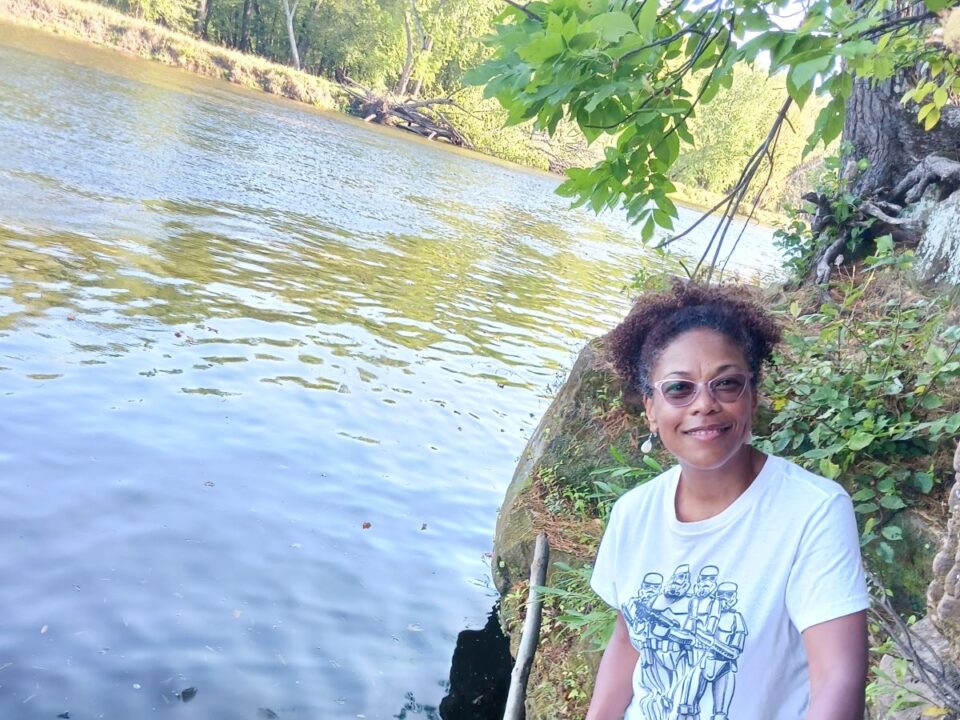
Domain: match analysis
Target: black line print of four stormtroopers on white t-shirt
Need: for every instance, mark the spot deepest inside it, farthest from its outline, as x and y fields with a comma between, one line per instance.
x=689, y=635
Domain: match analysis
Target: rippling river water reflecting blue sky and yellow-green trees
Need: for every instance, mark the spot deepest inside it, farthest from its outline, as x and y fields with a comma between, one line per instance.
x=265, y=373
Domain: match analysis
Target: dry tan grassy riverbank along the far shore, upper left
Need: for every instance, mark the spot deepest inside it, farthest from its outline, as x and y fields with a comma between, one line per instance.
x=109, y=28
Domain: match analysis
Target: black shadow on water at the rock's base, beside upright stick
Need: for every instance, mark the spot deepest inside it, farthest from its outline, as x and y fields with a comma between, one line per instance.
x=479, y=678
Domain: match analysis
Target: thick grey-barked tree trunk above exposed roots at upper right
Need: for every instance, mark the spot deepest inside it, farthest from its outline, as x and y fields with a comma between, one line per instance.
x=887, y=134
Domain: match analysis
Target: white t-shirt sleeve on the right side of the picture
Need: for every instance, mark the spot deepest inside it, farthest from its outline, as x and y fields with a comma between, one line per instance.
x=826, y=581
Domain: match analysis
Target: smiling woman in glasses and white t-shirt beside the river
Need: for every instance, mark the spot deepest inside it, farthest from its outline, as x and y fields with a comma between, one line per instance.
x=736, y=576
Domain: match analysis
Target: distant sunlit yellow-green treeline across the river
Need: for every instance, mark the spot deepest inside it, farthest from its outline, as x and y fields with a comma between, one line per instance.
x=422, y=48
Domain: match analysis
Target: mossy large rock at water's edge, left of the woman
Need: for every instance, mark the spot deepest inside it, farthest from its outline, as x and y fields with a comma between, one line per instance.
x=588, y=416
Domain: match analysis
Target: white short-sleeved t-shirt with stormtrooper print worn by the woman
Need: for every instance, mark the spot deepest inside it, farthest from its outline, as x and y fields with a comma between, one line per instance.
x=715, y=608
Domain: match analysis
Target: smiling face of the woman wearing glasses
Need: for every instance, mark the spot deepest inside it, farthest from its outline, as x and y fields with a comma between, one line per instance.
x=707, y=433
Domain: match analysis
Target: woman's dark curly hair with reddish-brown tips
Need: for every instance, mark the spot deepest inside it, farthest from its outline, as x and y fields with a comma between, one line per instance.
x=657, y=318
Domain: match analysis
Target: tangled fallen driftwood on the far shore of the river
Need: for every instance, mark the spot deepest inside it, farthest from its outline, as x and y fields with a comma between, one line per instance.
x=420, y=117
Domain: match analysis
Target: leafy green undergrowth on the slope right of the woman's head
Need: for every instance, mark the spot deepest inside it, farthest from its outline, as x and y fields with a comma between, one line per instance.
x=864, y=393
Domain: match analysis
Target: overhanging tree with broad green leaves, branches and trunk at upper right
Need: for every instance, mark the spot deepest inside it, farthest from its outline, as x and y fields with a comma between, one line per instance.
x=619, y=67
